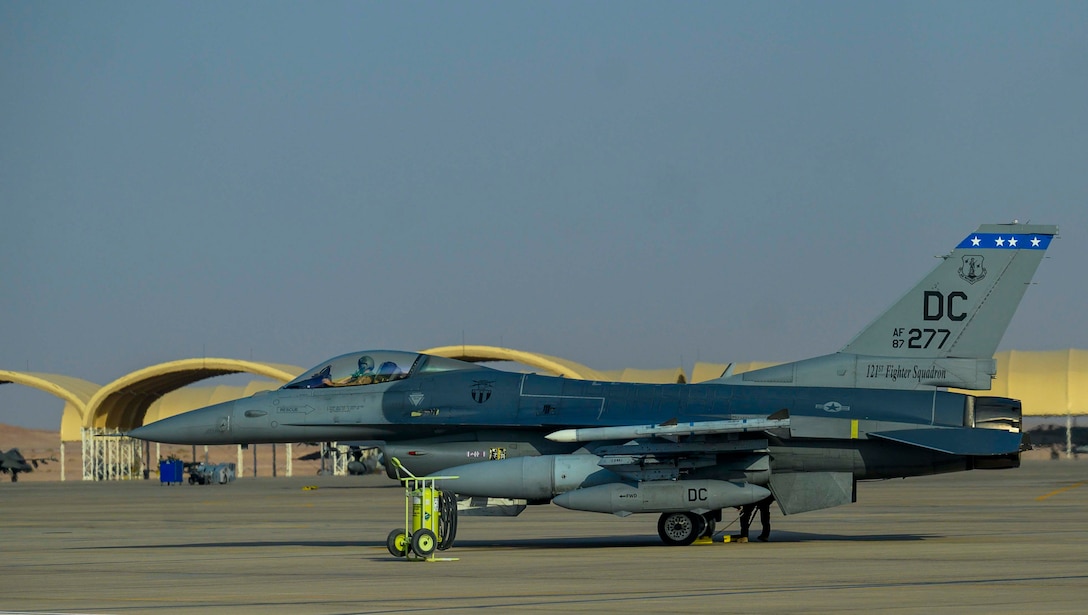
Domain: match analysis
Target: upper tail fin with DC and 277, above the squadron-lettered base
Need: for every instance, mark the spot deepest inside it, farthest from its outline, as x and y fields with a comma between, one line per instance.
x=965, y=306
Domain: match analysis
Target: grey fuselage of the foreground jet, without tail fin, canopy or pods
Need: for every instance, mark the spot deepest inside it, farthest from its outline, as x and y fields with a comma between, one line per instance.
x=500, y=411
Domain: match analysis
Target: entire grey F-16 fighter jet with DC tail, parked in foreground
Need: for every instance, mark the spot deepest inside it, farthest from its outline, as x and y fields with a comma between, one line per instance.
x=805, y=433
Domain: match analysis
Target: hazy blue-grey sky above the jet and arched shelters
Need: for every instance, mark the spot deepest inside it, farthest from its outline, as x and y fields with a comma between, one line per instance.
x=624, y=184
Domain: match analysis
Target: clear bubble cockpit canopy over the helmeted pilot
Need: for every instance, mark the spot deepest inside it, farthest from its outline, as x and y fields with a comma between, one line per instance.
x=374, y=367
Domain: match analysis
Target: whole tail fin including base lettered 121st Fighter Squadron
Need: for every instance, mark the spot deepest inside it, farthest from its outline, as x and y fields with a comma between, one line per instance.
x=942, y=334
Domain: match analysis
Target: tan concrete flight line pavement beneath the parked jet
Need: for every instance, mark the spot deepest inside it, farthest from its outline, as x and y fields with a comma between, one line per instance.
x=1008, y=542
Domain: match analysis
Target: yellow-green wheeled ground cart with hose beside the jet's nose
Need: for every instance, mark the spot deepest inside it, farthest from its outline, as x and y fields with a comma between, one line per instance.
x=430, y=518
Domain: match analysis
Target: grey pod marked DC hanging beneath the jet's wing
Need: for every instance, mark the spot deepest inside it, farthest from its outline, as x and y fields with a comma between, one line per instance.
x=662, y=497
